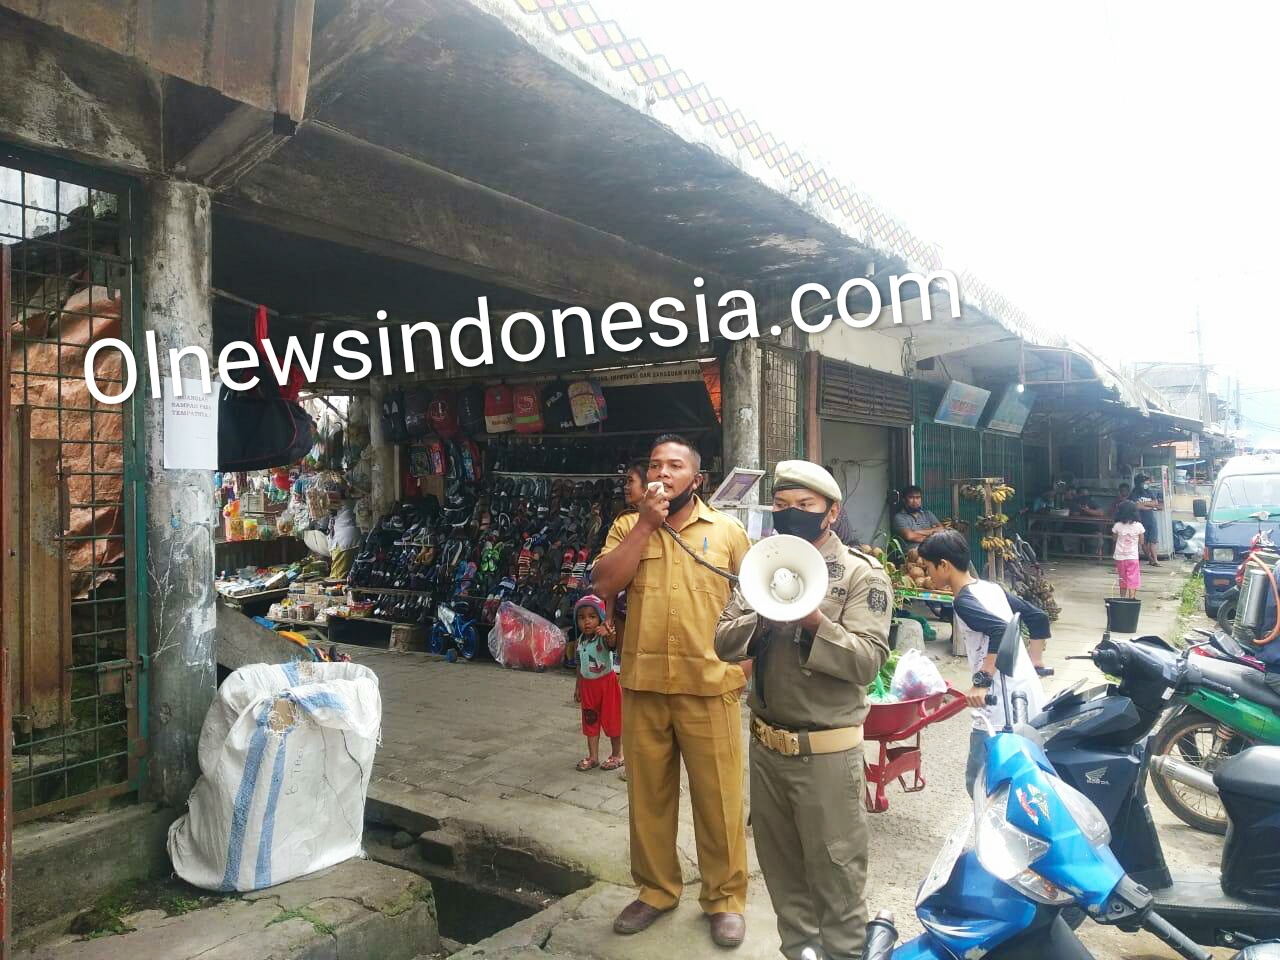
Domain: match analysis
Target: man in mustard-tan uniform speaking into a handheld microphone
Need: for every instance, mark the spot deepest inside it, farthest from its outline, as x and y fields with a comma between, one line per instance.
x=679, y=698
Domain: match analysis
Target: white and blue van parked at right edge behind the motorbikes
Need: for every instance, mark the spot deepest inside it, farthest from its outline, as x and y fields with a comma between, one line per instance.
x=1246, y=488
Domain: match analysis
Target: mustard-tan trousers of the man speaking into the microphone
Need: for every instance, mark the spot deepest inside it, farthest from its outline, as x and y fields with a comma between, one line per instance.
x=707, y=732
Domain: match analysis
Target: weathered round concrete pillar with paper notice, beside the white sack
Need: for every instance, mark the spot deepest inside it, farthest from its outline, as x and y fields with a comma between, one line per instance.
x=175, y=263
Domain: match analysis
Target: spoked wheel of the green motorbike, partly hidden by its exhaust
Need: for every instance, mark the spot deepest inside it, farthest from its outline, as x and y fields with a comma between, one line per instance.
x=1204, y=743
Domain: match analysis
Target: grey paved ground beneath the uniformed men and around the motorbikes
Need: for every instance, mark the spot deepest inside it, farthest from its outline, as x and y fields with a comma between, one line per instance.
x=488, y=755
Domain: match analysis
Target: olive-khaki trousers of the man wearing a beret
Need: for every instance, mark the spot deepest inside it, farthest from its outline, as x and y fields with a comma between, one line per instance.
x=811, y=838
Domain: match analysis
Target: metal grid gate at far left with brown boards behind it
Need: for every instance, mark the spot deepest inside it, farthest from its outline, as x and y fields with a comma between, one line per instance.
x=72, y=602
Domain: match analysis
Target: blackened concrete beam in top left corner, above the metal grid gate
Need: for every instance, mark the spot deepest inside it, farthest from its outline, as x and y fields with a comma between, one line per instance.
x=68, y=97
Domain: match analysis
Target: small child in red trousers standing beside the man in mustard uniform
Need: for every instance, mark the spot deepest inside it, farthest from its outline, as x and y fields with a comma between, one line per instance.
x=598, y=684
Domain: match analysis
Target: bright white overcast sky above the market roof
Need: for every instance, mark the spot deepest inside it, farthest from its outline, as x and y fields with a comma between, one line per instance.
x=1108, y=167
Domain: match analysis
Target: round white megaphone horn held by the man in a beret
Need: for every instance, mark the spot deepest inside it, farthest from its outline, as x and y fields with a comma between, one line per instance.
x=784, y=578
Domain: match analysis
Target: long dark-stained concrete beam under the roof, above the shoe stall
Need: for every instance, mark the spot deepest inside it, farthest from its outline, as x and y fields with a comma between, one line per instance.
x=333, y=186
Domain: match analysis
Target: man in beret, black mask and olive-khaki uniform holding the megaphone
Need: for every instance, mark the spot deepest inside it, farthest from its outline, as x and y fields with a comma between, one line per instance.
x=808, y=703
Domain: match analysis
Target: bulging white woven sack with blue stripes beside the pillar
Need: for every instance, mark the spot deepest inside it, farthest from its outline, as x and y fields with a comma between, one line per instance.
x=286, y=756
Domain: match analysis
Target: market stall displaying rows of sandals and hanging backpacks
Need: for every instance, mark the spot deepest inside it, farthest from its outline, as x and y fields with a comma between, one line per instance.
x=509, y=491
